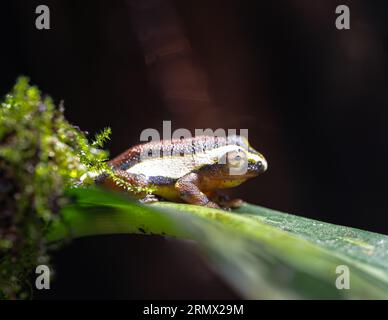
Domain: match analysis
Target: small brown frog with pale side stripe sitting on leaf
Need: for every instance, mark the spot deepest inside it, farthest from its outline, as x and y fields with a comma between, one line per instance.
x=190, y=170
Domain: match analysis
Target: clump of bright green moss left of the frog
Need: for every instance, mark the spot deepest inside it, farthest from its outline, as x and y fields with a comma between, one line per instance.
x=41, y=154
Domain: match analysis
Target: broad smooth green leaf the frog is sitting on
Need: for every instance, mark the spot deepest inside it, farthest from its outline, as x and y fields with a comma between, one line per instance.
x=262, y=253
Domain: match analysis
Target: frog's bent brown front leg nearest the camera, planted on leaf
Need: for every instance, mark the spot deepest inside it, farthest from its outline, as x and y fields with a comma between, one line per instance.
x=188, y=187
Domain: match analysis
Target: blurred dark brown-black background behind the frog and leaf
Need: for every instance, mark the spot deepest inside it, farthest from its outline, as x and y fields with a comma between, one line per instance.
x=313, y=98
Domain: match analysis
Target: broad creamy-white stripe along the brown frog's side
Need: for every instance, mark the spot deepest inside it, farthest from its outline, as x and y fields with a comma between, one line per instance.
x=177, y=166
